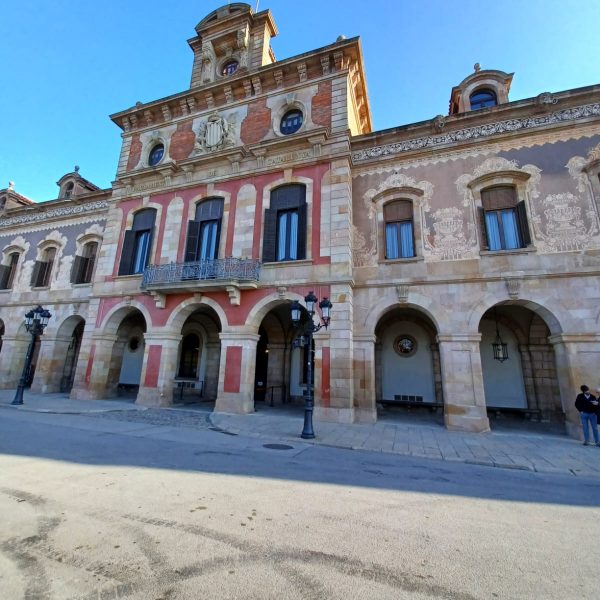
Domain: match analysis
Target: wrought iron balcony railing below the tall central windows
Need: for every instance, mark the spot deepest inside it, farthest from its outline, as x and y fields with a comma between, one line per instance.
x=218, y=269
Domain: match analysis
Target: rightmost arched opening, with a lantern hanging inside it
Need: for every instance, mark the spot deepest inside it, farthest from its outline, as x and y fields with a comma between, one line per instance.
x=523, y=388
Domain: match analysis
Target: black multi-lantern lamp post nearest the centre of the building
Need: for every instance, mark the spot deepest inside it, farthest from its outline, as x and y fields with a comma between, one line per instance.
x=309, y=327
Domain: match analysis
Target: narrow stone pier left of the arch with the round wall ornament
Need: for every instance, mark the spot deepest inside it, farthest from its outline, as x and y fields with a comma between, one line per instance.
x=365, y=396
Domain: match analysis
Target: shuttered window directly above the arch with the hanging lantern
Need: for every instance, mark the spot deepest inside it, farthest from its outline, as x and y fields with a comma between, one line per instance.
x=503, y=219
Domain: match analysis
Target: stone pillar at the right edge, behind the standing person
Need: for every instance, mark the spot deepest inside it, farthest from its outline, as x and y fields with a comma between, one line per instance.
x=577, y=361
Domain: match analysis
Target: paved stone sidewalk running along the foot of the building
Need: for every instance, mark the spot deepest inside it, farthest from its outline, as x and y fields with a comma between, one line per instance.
x=543, y=452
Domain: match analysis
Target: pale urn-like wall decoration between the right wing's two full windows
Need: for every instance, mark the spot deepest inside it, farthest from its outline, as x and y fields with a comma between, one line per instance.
x=454, y=239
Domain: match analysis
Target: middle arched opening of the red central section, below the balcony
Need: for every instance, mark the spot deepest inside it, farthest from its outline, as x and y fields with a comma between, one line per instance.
x=199, y=357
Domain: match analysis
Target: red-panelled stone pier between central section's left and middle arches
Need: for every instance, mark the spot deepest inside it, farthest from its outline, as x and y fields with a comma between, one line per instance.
x=160, y=367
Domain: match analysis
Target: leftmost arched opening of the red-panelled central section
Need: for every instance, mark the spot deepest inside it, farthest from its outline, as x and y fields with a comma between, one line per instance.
x=127, y=357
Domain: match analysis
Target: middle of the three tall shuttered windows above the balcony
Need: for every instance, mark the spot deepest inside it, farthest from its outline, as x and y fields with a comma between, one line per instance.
x=204, y=231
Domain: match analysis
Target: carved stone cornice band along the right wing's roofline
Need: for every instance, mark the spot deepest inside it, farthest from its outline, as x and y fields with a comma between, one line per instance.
x=487, y=130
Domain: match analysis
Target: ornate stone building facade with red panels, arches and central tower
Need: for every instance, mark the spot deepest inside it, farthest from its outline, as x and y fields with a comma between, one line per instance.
x=264, y=181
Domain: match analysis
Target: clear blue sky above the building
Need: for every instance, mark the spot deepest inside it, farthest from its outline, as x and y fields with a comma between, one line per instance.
x=67, y=64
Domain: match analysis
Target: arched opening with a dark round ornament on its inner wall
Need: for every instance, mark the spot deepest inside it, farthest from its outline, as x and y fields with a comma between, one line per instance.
x=407, y=365
